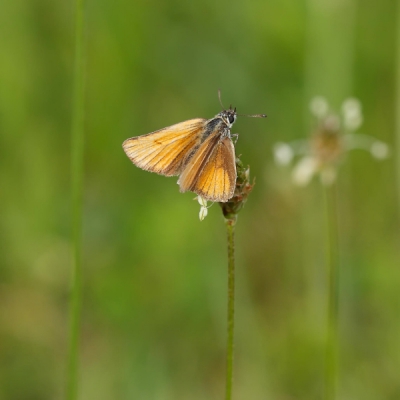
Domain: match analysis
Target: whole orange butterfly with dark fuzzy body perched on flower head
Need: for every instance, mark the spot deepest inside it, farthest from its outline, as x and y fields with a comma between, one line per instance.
x=199, y=150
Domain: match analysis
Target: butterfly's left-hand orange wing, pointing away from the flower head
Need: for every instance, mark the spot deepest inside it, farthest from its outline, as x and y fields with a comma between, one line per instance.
x=167, y=150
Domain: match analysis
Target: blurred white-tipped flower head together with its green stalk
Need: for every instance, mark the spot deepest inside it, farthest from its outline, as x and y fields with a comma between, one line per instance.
x=322, y=155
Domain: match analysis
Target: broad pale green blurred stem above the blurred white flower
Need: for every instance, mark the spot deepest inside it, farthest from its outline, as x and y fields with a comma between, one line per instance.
x=329, y=51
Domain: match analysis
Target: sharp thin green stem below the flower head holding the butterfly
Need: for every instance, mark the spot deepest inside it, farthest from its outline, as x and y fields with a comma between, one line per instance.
x=230, y=226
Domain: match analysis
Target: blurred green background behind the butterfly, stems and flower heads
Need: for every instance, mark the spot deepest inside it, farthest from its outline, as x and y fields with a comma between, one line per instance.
x=154, y=301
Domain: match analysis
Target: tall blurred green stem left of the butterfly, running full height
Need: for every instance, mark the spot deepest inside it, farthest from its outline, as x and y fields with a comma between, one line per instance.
x=77, y=142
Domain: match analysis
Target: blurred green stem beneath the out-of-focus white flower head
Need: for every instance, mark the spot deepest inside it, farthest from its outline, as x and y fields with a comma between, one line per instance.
x=332, y=248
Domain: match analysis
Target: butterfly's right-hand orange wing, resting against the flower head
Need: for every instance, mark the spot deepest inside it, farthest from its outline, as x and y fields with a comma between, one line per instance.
x=211, y=172
